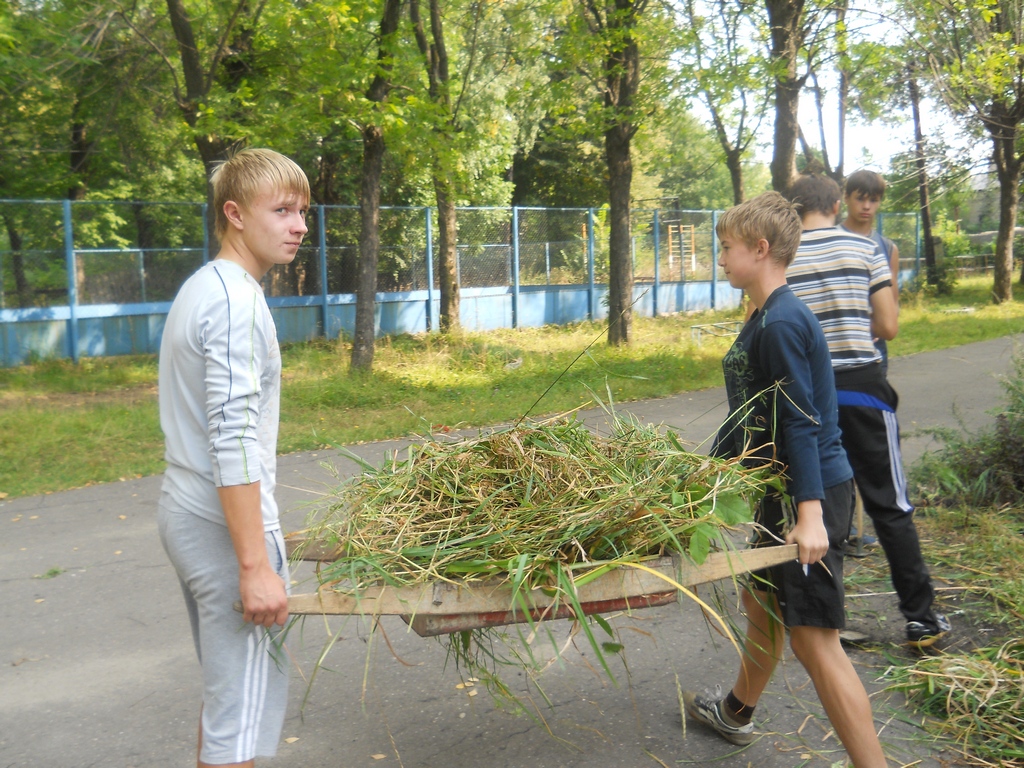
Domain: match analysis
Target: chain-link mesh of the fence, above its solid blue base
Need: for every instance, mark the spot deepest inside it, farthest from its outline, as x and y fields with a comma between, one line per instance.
x=130, y=253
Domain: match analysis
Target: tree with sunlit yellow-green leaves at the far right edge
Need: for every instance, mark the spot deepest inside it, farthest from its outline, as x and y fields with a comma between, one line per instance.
x=975, y=49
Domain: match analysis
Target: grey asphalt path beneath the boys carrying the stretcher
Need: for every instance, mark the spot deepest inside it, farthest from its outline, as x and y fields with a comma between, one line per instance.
x=98, y=666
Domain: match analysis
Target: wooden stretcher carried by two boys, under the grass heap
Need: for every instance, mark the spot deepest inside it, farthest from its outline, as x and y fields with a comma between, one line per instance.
x=443, y=608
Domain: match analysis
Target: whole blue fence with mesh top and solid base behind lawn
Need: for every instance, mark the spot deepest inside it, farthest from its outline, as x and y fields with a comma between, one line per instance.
x=94, y=279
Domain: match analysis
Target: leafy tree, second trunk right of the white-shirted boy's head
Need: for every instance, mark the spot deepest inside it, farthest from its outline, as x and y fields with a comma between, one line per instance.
x=484, y=72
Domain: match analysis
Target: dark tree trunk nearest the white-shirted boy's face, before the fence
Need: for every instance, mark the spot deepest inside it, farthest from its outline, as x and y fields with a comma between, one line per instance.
x=370, y=203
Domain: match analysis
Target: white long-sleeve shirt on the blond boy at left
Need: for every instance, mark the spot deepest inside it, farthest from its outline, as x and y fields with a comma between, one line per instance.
x=220, y=393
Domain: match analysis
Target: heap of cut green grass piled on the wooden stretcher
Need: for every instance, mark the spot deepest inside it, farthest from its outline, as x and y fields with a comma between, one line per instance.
x=546, y=505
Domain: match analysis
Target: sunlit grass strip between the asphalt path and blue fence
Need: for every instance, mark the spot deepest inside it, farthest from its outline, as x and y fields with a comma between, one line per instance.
x=68, y=426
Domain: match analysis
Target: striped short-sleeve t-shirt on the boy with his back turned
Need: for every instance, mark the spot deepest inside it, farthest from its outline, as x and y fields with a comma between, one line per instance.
x=835, y=273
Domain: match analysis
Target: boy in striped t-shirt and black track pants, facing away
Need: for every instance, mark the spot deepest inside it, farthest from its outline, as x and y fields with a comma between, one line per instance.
x=847, y=283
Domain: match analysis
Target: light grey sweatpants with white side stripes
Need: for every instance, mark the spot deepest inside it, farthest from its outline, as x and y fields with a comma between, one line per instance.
x=245, y=668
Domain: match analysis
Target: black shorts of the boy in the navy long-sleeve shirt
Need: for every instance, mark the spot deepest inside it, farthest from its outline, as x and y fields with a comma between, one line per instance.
x=818, y=599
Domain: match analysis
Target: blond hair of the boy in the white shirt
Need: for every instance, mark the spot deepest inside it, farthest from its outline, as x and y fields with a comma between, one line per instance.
x=250, y=174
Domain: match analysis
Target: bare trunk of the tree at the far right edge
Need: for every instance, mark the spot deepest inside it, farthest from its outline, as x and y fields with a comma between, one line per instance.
x=1008, y=170
